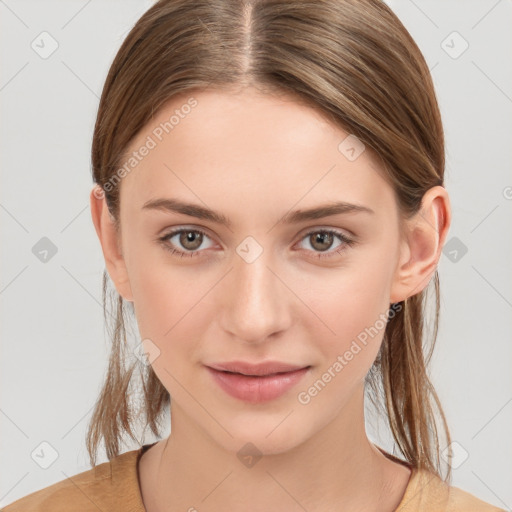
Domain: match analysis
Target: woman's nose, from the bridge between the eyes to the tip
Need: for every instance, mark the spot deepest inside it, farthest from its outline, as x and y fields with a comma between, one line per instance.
x=257, y=306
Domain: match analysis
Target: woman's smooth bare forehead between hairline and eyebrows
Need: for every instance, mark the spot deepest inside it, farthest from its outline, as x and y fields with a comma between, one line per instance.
x=253, y=146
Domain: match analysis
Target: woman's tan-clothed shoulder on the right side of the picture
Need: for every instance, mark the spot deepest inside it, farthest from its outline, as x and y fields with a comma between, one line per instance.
x=426, y=492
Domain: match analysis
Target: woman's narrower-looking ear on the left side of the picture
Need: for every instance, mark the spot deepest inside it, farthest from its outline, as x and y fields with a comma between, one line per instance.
x=110, y=243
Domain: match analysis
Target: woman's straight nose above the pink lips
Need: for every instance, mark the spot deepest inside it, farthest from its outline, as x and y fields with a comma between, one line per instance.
x=256, y=302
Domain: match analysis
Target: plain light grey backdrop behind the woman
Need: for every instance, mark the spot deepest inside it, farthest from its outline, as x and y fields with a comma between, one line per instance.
x=53, y=343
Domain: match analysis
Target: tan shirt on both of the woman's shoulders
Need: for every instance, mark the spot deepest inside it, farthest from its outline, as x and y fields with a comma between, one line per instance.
x=114, y=487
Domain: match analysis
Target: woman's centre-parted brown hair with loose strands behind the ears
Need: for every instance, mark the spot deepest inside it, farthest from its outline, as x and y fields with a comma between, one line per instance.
x=351, y=60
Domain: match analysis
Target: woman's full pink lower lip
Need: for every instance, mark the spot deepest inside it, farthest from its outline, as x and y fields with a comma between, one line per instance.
x=257, y=389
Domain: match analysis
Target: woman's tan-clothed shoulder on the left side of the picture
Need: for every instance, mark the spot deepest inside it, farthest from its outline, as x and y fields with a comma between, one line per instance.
x=98, y=488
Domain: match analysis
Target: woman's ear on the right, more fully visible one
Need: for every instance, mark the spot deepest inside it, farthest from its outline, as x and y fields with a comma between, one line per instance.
x=421, y=244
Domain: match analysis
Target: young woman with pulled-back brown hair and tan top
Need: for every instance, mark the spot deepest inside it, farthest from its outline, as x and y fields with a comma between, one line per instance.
x=270, y=204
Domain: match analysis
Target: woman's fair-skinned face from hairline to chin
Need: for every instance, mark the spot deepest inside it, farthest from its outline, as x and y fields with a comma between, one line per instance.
x=265, y=285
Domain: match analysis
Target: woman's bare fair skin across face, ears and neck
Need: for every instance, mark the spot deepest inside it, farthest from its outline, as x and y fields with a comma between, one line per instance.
x=255, y=157
